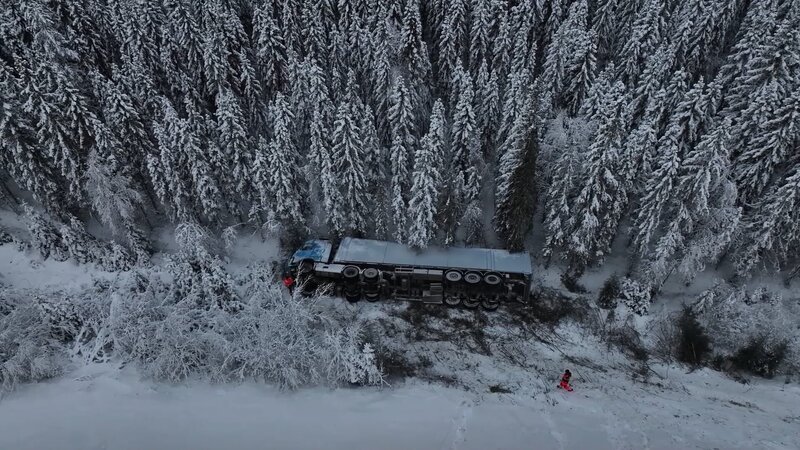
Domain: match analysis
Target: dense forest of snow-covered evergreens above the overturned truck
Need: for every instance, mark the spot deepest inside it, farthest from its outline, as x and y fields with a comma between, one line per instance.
x=669, y=126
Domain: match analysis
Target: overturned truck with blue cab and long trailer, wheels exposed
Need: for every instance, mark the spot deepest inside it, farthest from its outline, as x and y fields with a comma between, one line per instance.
x=374, y=270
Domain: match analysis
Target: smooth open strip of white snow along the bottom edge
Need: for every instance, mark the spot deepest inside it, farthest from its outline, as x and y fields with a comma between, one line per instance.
x=100, y=407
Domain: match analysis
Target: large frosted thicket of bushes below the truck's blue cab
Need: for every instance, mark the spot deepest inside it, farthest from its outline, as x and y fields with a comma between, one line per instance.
x=288, y=341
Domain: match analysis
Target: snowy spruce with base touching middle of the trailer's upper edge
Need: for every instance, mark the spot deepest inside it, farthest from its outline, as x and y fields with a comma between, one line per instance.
x=426, y=181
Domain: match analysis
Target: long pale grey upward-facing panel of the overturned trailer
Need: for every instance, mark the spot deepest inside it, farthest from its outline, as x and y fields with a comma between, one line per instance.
x=352, y=250
